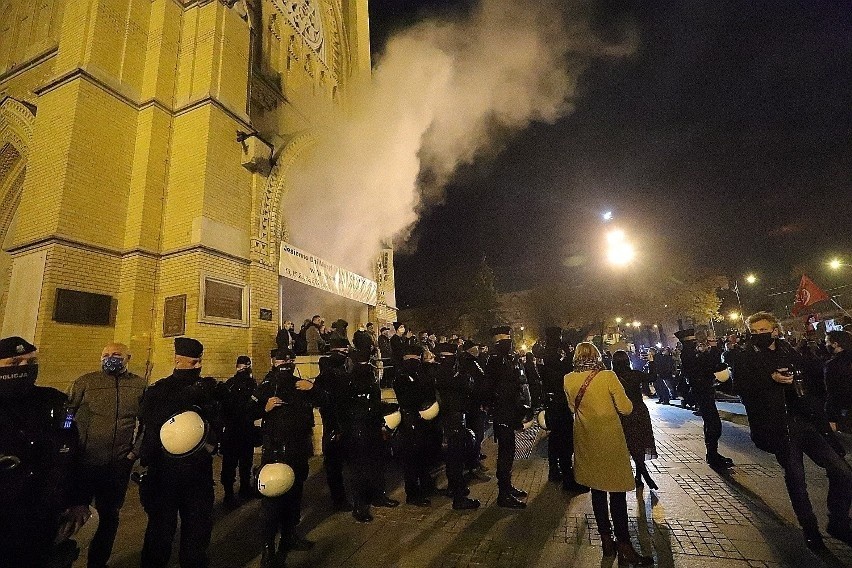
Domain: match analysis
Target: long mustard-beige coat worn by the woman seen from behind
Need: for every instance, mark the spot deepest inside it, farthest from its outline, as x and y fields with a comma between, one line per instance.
x=601, y=459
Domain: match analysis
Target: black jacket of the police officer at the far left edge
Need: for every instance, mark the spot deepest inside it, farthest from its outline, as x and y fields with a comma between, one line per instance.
x=37, y=430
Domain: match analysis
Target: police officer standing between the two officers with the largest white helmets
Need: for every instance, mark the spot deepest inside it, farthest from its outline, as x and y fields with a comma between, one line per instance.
x=238, y=434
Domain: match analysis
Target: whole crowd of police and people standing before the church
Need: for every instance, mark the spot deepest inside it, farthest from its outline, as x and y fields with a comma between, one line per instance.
x=66, y=460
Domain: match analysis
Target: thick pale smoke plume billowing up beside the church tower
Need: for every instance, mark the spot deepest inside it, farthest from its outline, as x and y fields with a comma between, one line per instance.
x=443, y=93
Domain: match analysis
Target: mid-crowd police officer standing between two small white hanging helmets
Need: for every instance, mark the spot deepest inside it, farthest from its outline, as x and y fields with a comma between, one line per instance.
x=414, y=393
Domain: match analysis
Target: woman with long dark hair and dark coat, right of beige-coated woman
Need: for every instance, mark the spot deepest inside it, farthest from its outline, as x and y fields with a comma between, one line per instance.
x=637, y=425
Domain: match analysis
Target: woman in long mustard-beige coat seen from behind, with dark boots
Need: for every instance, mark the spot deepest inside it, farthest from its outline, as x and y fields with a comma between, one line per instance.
x=601, y=459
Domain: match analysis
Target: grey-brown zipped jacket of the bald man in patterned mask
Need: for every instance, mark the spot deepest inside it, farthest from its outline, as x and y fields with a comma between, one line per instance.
x=106, y=408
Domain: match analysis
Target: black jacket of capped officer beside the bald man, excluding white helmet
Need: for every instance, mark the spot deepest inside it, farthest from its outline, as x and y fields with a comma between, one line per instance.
x=179, y=392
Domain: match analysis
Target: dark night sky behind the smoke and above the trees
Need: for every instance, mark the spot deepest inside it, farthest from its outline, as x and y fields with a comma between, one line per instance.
x=726, y=138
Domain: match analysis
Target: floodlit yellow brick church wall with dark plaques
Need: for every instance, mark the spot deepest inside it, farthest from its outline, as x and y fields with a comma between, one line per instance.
x=128, y=210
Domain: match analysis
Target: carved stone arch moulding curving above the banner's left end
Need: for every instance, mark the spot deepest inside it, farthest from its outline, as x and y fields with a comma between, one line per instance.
x=271, y=227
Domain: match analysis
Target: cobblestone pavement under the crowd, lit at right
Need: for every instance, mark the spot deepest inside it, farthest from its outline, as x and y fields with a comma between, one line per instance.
x=696, y=519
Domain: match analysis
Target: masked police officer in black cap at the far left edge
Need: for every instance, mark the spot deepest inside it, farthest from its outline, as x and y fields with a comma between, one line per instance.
x=40, y=500
